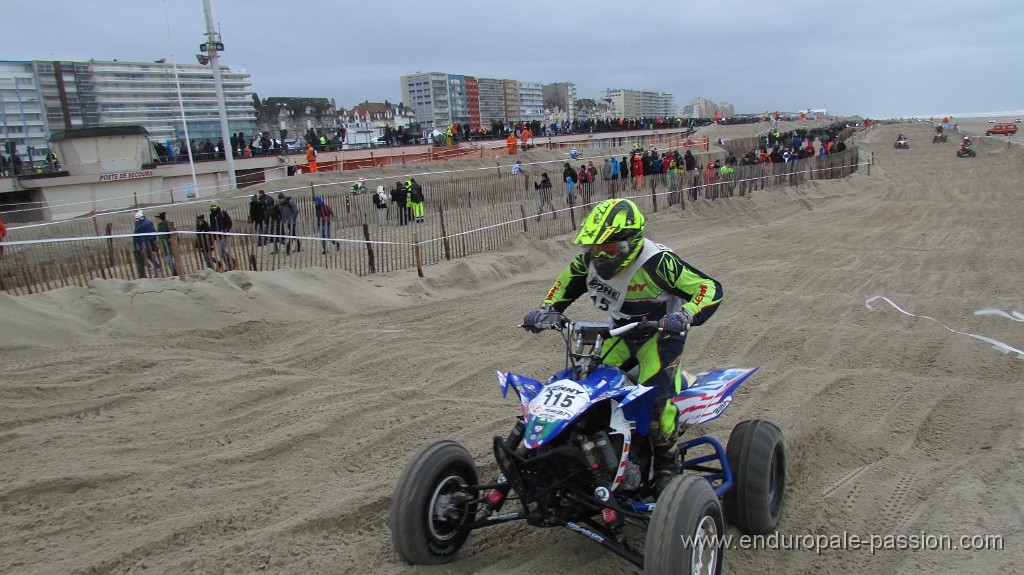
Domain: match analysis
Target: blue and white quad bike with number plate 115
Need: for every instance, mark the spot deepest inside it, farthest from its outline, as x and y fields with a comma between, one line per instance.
x=580, y=458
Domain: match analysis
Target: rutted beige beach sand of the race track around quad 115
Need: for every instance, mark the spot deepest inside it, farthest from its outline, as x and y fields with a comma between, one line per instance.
x=257, y=423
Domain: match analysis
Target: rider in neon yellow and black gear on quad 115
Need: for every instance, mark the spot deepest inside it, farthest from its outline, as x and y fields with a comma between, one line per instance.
x=633, y=279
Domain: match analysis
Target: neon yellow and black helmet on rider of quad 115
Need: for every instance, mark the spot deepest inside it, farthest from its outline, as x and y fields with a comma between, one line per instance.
x=614, y=233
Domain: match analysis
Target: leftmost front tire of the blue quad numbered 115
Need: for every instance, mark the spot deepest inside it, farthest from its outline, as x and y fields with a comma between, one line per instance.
x=426, y=511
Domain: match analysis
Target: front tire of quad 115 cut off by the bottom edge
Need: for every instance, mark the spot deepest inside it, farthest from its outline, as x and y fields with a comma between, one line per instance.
x=687, y=529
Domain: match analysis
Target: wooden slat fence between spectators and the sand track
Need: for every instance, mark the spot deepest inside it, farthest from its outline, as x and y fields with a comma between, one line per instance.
x=464, y=215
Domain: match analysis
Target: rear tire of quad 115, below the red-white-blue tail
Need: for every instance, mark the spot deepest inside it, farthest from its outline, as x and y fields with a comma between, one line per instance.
x=757, y=456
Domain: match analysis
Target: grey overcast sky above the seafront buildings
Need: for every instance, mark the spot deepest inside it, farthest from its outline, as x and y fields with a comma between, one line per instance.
x=877, y=59
